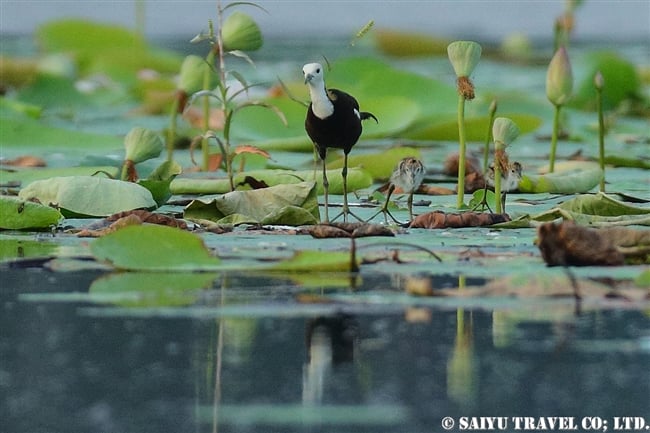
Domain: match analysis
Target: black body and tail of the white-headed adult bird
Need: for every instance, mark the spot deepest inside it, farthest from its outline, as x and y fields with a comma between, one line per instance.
x=342, y=129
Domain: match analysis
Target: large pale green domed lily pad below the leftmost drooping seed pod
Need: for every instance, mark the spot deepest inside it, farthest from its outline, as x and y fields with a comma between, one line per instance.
x=89, y=196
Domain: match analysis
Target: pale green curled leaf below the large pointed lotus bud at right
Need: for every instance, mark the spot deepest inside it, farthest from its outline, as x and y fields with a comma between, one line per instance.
x=568, y=178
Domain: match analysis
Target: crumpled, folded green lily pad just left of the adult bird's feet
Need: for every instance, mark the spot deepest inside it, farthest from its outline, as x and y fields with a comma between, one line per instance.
x=289, y=204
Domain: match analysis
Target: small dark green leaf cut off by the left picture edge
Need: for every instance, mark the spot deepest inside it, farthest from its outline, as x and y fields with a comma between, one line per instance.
x=17, y=214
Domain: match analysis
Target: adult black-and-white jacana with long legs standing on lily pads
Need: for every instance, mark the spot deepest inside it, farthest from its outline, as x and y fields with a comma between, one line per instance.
x=333, y=120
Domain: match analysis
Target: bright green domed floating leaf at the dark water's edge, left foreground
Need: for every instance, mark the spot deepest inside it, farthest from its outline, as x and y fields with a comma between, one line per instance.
x=154, y=248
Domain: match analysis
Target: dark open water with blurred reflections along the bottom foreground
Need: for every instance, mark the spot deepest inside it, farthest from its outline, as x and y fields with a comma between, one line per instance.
x=69, y=368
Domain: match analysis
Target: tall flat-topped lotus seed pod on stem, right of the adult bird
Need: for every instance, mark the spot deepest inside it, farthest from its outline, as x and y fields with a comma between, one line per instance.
x=464, y=56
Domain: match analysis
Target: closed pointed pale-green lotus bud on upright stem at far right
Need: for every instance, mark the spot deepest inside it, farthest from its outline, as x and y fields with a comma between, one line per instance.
x=559, y=85
